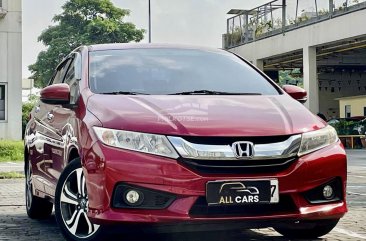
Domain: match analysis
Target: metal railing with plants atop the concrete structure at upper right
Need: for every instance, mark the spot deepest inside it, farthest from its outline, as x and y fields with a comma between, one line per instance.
x=280, y=16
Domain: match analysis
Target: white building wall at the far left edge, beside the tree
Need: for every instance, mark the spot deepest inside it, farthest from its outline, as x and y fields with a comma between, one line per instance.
x=10, y=69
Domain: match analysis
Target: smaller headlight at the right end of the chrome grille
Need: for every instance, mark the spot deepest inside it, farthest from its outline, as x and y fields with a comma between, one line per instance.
x=315, y=140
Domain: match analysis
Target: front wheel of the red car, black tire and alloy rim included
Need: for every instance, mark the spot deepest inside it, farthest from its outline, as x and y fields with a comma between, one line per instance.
x=71, y=206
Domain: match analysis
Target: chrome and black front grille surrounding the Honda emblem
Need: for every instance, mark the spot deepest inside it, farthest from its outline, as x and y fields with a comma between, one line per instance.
x=216, y=154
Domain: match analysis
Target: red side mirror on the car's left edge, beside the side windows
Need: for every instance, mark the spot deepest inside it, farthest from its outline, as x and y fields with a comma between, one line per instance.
x=57, y=94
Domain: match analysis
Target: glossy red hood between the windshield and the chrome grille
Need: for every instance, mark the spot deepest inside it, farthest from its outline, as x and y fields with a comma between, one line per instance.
x=204, y=115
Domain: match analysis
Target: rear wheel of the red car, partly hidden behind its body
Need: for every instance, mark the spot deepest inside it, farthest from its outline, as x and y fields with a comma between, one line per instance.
x=37, y=208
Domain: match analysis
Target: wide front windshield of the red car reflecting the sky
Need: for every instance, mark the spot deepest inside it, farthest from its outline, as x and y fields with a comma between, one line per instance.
x=161, y=71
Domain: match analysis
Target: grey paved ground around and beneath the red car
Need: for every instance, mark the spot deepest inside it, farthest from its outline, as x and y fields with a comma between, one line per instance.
x=14, y=224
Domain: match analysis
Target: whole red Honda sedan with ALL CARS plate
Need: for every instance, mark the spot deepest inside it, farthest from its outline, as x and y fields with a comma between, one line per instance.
x=180, y=137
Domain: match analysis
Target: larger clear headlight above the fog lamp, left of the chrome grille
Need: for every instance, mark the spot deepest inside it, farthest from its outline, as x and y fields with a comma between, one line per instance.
x=136, y=141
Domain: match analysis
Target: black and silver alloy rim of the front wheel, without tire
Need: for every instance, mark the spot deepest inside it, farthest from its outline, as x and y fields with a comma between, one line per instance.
x=74, y=206
